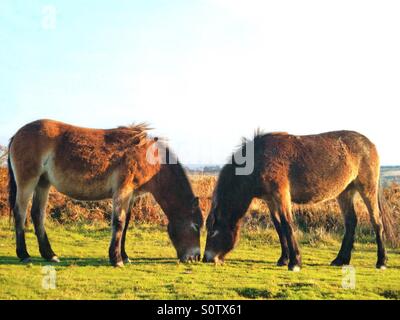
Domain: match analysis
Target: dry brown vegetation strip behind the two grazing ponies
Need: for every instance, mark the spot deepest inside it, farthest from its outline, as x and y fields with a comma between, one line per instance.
x=324, y=216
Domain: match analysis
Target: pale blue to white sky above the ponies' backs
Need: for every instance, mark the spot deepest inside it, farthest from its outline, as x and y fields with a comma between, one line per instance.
x=205, y=72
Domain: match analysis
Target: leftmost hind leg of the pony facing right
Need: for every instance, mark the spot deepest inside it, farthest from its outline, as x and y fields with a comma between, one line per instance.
x=21, y=205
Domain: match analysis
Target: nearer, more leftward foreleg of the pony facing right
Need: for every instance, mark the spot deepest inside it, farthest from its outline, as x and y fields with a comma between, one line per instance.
x=120, y=207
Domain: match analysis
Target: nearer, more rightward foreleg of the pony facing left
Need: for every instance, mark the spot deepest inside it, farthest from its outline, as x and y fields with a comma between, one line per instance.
x=283, y=203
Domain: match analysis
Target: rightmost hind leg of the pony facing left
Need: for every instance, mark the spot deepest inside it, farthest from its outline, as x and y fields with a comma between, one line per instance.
x=370, y=197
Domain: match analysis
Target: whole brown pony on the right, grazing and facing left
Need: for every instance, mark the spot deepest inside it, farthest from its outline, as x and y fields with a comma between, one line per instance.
x=303, y=170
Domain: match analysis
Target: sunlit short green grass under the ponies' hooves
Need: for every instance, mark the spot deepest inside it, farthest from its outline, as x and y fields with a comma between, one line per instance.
x=249, y=272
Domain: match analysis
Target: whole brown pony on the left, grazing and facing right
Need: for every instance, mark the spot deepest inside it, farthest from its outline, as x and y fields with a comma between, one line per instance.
x=94, y=164
